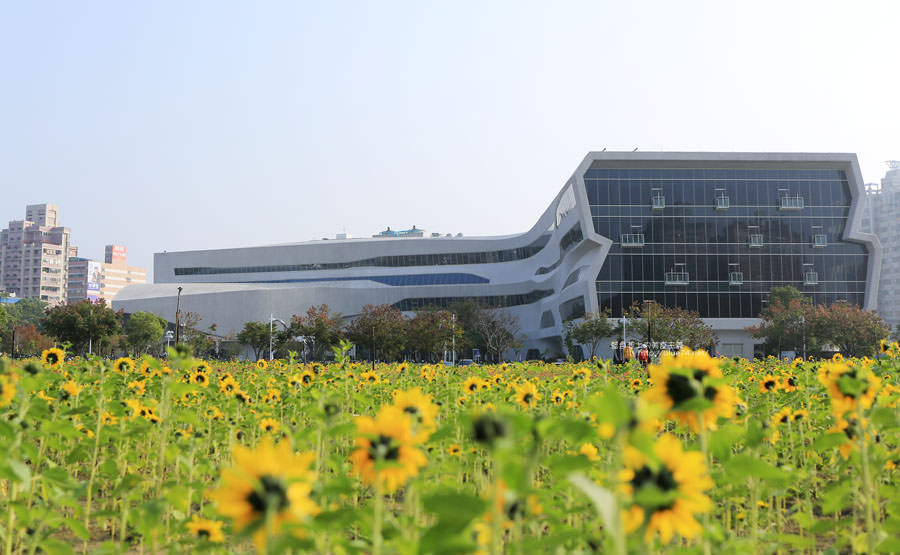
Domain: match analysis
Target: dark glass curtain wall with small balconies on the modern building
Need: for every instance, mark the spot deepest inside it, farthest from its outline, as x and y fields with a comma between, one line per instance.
x=770, y=227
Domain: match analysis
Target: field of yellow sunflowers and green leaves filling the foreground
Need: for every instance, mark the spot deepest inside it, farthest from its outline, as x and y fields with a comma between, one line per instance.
x=691, y=454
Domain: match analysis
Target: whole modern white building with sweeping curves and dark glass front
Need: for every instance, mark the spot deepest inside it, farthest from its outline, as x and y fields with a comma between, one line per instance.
x=710, y=232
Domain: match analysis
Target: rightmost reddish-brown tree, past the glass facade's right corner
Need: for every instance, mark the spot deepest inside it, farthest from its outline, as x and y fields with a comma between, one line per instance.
x=854, y=331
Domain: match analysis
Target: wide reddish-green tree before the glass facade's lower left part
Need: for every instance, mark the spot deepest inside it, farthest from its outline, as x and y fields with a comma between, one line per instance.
x=653, y=324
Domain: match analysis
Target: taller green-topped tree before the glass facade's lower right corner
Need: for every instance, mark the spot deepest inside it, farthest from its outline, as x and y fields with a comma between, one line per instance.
x=786, y=323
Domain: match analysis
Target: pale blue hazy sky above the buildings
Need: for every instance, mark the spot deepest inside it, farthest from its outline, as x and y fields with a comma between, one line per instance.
x=173, y=125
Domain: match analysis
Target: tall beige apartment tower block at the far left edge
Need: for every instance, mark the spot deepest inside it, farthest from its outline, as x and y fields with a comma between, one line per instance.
x=34, y=255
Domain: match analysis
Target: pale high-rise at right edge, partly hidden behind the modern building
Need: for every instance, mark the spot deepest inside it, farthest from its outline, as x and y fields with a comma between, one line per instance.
x=880, y=218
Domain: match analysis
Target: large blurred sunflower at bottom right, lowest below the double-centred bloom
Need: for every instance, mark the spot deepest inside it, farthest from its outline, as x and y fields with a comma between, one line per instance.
x=674, y=490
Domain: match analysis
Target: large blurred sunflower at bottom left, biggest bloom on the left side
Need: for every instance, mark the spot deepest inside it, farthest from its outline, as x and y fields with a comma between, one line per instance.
x=269, y=480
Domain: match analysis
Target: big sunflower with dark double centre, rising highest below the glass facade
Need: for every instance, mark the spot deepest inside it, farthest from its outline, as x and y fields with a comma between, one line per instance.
x=691, y=377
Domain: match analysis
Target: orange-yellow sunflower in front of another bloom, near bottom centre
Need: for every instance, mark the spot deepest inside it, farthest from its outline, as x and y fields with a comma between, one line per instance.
x=384, y=453
